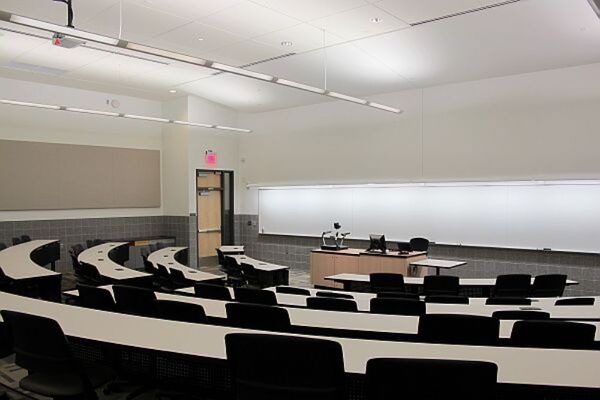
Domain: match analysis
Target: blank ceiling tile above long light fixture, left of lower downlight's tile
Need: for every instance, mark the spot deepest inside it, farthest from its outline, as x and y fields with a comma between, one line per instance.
x=187, y=39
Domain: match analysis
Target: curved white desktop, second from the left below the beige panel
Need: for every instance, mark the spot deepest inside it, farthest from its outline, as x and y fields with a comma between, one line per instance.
x=98, y=256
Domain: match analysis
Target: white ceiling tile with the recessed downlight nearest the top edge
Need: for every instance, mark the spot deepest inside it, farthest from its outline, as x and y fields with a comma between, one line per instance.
x=356, y=23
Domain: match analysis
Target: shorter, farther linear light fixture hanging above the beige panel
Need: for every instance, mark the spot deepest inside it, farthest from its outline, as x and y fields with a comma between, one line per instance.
x=114, y=114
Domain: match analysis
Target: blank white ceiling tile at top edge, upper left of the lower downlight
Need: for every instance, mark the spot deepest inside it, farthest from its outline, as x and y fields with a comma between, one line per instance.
x=249, y=20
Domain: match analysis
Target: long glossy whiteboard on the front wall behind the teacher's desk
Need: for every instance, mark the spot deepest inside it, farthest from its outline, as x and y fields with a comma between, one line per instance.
x=562, y=216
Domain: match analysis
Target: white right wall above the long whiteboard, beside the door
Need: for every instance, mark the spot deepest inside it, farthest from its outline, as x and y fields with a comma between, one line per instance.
x=540, y=125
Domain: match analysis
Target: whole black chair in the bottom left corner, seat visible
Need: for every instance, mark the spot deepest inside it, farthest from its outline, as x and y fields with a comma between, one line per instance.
x=42, y=348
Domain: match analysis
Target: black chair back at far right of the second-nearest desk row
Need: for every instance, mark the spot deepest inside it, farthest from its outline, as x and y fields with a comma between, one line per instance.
x=553, y=334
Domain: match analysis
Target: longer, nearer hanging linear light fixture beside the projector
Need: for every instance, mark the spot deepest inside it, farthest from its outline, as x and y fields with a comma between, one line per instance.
x=53, y=28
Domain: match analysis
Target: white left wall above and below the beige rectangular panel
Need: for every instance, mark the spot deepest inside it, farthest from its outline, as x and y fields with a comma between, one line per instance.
x=20, y=123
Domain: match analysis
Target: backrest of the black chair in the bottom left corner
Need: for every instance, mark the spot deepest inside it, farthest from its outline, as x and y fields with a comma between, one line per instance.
x=39, y=343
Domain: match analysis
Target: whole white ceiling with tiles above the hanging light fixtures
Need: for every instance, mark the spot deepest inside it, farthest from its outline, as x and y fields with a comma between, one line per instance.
x=360, y=57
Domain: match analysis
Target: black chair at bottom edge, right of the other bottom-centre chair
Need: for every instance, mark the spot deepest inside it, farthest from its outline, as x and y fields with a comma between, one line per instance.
x=430, y=379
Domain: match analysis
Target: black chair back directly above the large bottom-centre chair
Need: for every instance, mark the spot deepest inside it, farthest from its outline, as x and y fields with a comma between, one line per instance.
x=258, y=316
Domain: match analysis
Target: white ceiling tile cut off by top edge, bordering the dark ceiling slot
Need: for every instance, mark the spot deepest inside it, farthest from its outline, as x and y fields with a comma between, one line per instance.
x=411, y=11
